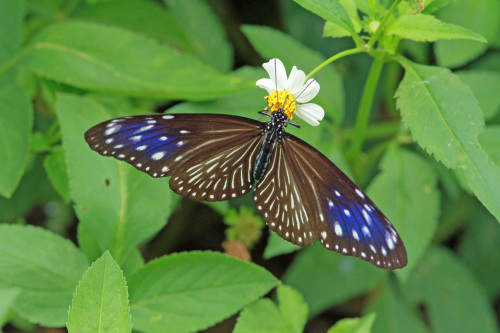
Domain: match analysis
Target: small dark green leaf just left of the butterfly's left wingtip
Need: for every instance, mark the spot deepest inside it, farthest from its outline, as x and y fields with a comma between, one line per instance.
x=55, y=167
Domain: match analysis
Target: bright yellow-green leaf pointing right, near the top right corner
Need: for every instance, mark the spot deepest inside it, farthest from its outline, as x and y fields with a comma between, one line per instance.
x=427, y=28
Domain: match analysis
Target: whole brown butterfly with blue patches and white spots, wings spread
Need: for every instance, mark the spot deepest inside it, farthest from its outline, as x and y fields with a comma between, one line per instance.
x=300, y=193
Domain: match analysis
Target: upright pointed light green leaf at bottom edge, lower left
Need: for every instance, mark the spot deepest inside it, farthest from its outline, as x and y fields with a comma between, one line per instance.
x=100, y=303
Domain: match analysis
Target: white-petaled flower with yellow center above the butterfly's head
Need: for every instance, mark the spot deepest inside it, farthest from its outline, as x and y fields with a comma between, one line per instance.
x=292, y=90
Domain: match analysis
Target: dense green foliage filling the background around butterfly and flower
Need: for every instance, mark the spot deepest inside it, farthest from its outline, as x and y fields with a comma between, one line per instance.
x=412, y=114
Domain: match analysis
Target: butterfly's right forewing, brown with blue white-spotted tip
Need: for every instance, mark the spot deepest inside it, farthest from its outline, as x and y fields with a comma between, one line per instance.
x=345, y=219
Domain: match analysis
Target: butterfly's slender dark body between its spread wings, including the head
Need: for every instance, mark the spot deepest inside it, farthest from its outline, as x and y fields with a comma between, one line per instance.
x=274, y=130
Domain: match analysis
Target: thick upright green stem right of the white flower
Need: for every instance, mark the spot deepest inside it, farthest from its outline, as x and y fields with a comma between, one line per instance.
x=364, y=109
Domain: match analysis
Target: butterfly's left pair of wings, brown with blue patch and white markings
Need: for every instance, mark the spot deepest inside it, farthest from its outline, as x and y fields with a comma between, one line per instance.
x=209, y=157
